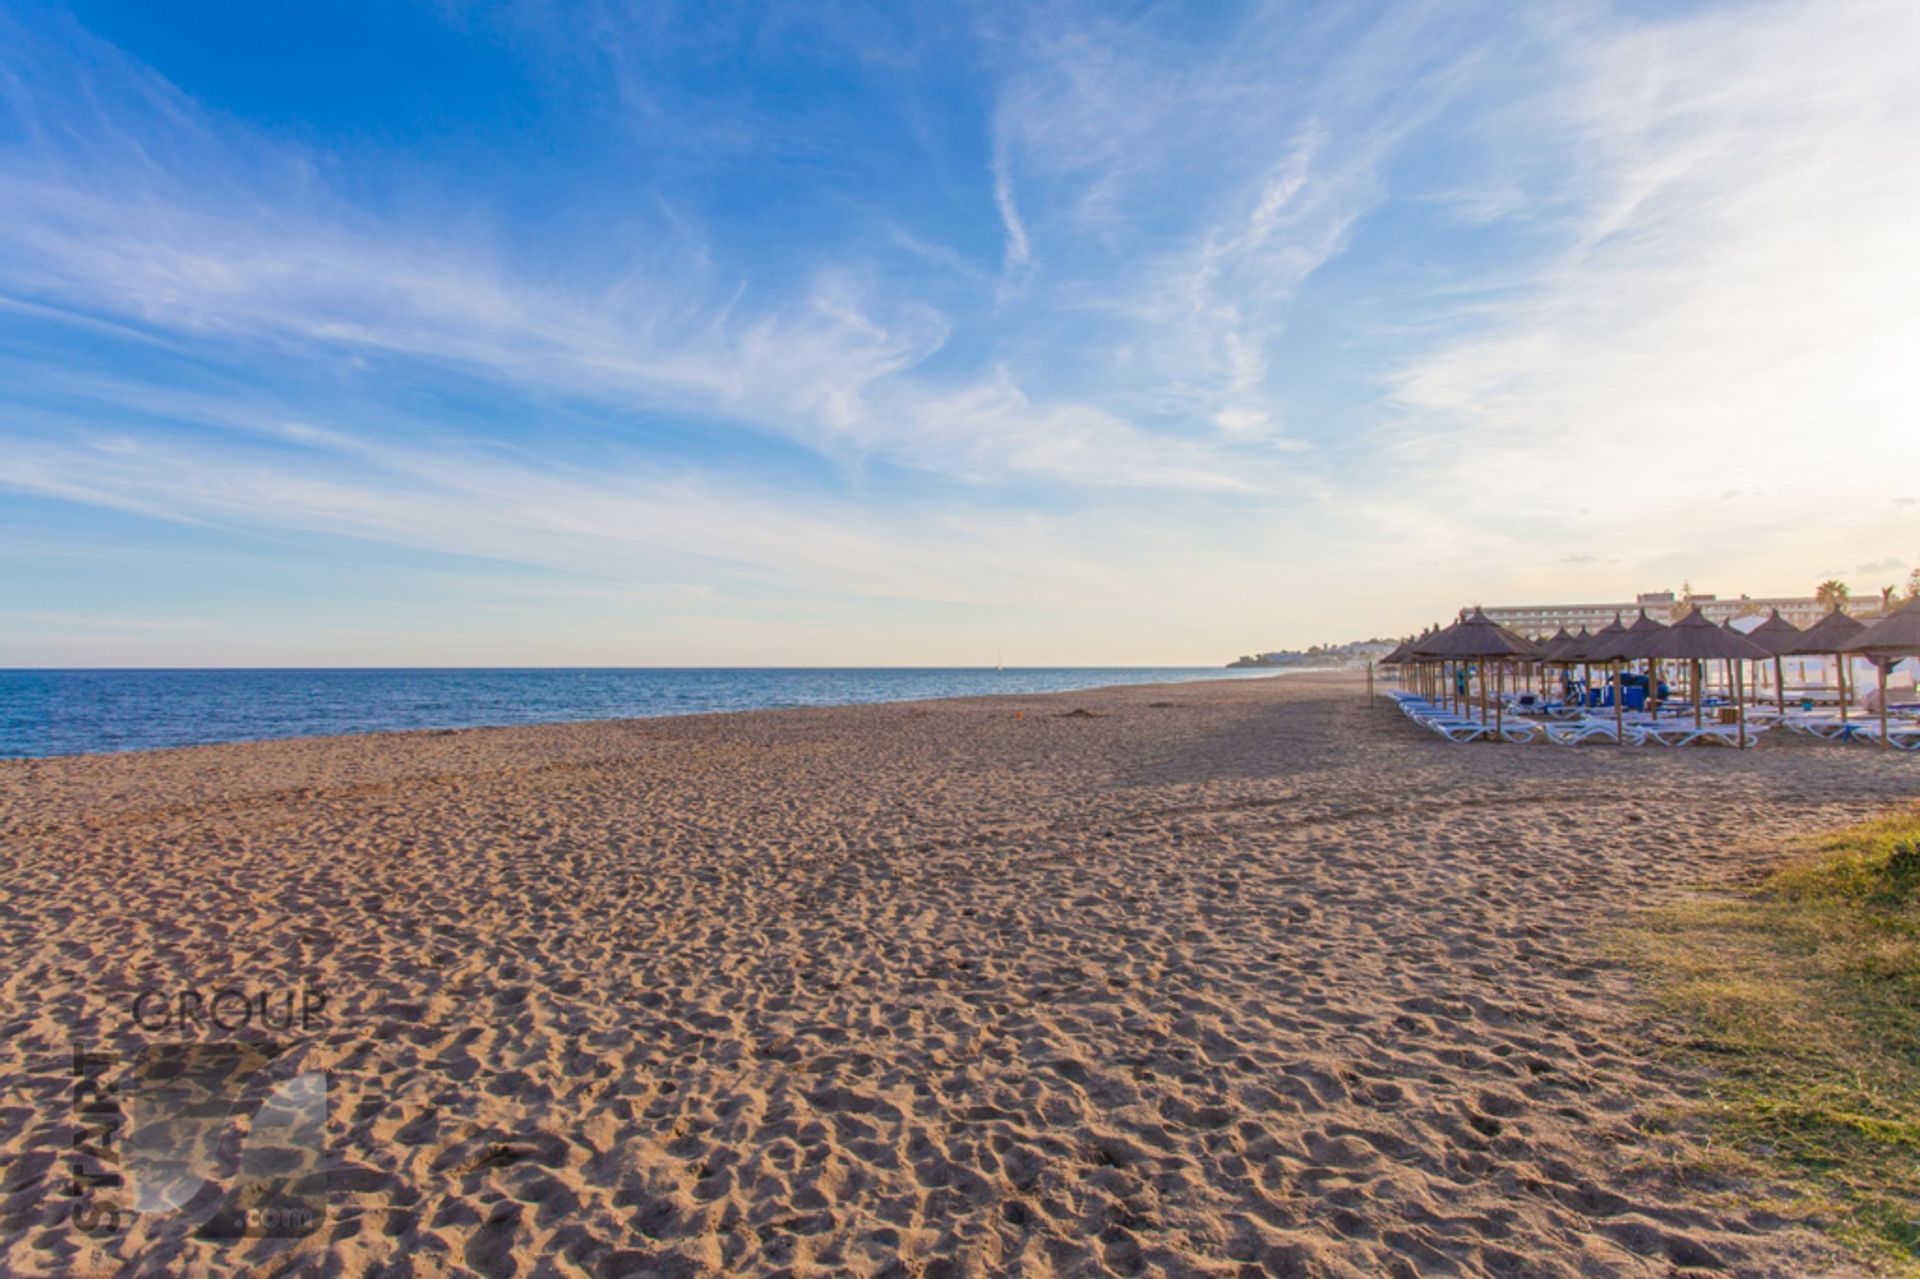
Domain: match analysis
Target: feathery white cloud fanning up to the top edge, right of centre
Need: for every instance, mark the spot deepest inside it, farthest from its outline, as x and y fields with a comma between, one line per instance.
x=1195, y=195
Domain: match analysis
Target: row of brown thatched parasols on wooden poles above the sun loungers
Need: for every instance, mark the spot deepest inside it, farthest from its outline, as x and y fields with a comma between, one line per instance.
x=1477, y=642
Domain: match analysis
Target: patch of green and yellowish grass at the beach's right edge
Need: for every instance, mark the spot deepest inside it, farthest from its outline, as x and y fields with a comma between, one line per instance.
x=1802, y=1000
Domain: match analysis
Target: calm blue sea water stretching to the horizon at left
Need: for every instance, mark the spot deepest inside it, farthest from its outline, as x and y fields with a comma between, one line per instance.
x=89, y=712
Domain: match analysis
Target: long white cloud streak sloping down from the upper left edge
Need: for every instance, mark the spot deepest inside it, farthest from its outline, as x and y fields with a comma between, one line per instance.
x=118, y=241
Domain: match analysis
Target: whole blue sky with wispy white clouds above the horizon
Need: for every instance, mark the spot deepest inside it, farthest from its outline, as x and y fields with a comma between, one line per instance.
x=830, y=333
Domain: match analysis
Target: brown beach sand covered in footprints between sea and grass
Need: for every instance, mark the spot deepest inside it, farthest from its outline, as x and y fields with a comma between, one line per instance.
x=1239, y=978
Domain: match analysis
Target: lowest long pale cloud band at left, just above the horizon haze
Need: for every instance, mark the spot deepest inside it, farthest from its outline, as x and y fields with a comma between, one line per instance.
x=631, y=523
